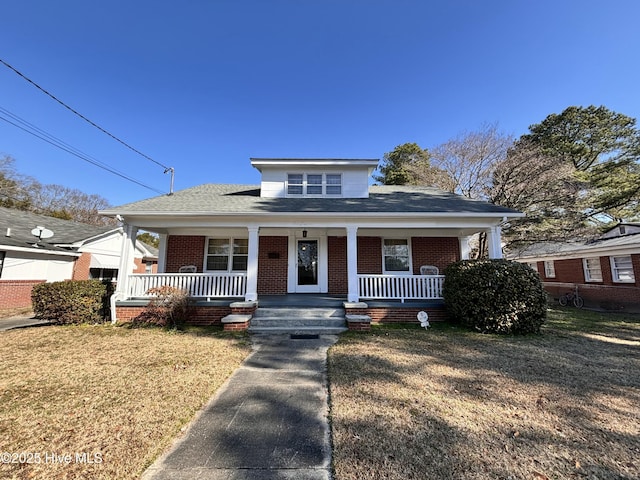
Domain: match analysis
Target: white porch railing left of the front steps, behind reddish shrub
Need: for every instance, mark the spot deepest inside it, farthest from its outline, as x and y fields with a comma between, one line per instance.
x=197, y=284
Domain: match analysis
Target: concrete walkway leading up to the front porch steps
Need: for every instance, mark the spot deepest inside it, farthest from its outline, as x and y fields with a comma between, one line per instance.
x=269, y=421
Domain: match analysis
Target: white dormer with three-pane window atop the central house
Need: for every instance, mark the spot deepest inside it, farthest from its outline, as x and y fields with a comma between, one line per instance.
x=314, y=178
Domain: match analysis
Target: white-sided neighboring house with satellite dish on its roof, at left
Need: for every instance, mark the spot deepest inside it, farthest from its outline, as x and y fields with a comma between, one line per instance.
x=62, y=250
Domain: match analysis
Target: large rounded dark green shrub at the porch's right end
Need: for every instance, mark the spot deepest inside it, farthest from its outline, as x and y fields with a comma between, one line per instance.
x=495, y=296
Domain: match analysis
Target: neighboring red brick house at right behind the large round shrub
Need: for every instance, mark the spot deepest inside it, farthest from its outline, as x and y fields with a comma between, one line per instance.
x=606, y=270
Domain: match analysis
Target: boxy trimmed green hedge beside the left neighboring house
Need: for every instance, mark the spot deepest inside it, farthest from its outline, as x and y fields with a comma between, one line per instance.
x=71, y=302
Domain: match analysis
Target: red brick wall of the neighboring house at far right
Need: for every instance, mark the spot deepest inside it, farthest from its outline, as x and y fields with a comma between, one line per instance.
x=606, y=294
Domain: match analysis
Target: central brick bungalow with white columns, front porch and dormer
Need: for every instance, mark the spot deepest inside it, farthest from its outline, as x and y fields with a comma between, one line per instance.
x=312, y=232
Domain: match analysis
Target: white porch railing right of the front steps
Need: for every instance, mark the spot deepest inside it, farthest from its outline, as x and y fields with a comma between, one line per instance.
x=400, y=287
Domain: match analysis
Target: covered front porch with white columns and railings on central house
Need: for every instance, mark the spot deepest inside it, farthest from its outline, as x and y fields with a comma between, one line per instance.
x=359, y=263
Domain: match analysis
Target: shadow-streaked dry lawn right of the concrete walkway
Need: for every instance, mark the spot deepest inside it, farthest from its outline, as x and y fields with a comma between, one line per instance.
x=450, y=404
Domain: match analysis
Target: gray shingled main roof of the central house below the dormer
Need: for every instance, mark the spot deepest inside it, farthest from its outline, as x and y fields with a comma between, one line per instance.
x=245, y=199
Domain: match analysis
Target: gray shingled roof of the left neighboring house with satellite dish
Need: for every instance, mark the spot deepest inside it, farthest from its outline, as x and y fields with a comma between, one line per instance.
x=65, y=232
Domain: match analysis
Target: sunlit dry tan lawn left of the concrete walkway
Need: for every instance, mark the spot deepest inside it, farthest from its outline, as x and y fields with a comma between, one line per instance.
x=119, y=395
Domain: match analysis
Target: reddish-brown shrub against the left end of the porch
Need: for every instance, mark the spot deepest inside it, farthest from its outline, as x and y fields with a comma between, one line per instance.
x=168, y=308
